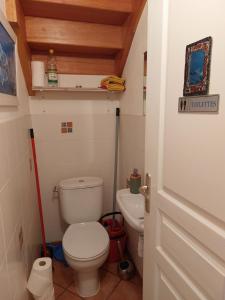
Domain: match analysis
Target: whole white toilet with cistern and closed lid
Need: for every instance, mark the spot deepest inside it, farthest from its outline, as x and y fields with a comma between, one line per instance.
x=85, y=242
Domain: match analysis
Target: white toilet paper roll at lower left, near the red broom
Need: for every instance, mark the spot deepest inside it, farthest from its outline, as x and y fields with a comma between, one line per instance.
x=40, y=279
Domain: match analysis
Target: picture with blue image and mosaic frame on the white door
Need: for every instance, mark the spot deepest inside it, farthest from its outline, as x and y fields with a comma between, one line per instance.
x=197, y=68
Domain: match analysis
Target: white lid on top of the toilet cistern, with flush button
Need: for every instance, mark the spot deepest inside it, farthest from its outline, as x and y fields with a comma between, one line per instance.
x=80, y=183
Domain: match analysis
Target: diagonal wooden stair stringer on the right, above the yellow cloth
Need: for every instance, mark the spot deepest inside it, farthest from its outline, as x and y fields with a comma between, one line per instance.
x=129, y=30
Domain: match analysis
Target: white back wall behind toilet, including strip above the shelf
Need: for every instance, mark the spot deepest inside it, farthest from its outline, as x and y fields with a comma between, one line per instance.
x=88, y=151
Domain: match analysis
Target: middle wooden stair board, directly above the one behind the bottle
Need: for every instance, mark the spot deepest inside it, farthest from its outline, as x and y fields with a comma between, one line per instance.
x=74, y=36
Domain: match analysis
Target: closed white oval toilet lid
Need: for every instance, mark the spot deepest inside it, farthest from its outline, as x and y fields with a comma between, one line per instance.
x=85, y=240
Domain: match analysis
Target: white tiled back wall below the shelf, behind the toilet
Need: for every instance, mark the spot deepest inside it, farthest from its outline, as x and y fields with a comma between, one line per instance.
x=88, y=151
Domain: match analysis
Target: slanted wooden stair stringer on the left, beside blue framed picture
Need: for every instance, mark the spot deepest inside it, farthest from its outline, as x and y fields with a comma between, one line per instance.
x=16, y=18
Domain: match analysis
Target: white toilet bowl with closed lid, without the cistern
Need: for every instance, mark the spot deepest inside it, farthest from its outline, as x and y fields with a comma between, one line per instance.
x=86, y=247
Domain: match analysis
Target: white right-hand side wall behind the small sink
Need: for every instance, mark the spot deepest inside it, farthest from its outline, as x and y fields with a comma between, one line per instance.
x=132, y=131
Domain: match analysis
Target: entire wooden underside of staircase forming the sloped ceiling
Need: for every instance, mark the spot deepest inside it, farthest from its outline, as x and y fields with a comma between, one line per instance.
x=88, y=36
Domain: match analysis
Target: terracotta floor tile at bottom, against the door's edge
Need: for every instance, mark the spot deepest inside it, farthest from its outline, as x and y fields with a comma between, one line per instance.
x=127, y=290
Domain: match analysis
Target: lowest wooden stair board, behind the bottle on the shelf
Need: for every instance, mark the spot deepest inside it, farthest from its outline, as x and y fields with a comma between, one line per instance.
x=81, y=65
